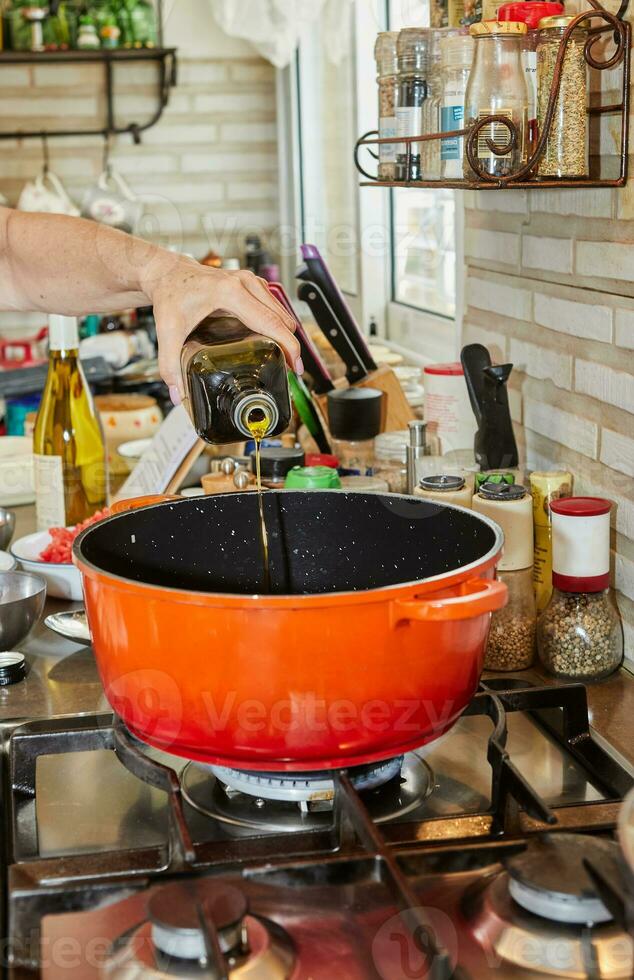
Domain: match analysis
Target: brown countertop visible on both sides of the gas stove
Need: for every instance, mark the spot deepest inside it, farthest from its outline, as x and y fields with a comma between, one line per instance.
x=62, y=680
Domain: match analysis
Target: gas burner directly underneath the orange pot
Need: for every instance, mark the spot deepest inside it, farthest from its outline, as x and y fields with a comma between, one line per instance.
x=277, y=802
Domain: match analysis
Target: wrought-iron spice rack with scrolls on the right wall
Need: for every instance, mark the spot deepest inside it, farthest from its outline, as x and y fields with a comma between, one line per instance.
x=522, y=177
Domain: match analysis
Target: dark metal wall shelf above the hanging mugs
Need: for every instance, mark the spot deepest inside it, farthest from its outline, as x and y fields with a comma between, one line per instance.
x=165, y=58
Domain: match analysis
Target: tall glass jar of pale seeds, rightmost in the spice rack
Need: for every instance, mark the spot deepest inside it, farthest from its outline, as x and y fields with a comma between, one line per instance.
x=566, y=151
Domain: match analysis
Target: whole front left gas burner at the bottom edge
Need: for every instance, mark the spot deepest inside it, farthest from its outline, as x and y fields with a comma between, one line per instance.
x=172, y=941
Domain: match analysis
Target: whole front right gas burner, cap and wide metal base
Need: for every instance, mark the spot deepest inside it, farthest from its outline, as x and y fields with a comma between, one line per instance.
x=543, y=915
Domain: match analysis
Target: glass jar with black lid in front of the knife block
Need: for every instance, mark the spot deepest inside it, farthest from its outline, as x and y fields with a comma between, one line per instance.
x=354, y=420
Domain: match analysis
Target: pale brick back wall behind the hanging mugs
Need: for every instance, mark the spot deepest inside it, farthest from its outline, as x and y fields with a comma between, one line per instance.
x=207, y=173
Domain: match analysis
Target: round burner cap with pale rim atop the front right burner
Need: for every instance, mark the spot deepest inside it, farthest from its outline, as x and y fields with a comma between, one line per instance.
x=549, y=878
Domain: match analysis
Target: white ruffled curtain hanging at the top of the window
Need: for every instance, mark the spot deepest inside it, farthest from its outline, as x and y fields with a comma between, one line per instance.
x=273, y=27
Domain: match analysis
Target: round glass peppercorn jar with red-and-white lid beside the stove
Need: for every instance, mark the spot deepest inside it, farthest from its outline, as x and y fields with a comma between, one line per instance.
x=579, y=634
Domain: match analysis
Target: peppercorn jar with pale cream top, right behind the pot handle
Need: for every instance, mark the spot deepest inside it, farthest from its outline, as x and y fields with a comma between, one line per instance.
x=511, y=644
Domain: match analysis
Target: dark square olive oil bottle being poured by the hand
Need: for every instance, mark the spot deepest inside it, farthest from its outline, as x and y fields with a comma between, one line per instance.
x=235, y=381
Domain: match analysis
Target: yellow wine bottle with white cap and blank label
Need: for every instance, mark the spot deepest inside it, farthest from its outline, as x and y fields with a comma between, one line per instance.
x=68, y=444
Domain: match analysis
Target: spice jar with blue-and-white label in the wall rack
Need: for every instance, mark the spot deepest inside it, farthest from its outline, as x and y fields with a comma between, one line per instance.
x=457, y=56
